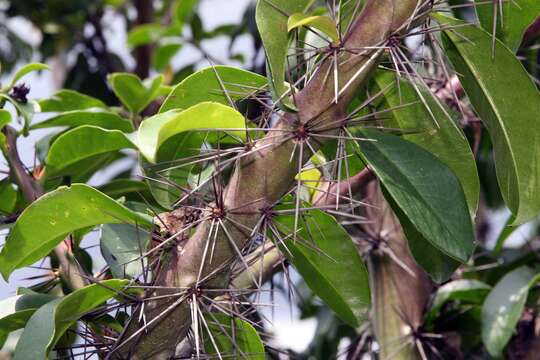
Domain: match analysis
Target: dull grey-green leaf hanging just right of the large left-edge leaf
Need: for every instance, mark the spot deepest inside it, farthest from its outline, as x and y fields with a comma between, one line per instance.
x=123, y=246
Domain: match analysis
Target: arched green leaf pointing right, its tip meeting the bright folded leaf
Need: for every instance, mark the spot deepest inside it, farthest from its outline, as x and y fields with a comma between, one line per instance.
x=82, y=143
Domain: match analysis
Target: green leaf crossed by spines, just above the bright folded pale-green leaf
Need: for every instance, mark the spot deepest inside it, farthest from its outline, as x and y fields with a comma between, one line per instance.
x=204, y=85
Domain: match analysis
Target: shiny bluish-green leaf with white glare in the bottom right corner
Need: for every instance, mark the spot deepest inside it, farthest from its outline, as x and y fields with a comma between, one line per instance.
x=503, y=308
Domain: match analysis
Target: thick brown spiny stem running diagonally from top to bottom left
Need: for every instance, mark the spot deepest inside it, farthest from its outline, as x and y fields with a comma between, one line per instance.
x=266, y=175
